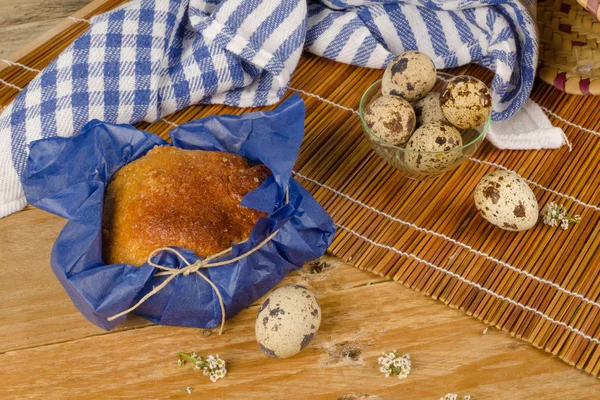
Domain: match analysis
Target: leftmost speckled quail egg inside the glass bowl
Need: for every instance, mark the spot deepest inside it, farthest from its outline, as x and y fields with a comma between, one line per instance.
x=391, y=118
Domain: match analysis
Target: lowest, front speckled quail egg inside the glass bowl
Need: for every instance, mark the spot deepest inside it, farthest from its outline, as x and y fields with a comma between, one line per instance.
x=428, y=148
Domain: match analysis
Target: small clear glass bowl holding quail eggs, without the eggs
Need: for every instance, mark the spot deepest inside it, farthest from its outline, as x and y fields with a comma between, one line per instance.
x=403, y=159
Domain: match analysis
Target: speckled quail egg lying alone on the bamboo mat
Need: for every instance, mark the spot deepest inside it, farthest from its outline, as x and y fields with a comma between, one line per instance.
x=506, y=200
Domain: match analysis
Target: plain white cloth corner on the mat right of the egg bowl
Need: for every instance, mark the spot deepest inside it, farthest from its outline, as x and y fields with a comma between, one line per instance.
x=528, y=129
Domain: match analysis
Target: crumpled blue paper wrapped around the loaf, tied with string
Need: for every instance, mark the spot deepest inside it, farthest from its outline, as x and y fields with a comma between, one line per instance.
x=68, y=177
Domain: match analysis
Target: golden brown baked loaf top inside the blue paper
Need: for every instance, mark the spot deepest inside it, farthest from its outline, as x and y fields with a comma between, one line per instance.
x=175, y=197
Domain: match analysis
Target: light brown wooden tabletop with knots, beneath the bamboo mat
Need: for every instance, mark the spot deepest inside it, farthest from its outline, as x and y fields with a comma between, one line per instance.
x=48, y=350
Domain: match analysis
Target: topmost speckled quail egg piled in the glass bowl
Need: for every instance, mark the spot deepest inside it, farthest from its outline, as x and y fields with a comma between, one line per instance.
x=410, y=75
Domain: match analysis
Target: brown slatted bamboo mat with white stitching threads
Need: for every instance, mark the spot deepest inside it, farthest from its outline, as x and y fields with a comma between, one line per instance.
x=542, y=285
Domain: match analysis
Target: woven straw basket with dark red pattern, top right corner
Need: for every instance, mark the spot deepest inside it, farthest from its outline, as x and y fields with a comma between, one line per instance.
x=570, y=45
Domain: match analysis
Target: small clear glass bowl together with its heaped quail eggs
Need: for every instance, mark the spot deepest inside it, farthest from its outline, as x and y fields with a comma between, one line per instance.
x=424, y=122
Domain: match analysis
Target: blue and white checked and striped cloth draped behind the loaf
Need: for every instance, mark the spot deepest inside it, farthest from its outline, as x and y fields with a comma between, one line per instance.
x=150, y=58
